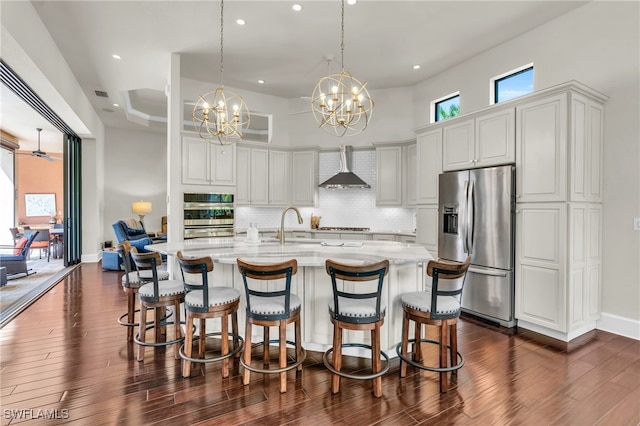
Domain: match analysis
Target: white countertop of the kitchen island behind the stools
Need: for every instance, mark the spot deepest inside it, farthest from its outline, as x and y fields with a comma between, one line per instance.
x=307, y=252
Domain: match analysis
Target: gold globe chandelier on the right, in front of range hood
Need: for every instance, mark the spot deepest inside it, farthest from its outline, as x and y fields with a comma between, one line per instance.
x=340, y=103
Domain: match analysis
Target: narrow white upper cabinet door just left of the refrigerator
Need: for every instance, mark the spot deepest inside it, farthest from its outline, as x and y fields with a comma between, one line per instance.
x=429, y=165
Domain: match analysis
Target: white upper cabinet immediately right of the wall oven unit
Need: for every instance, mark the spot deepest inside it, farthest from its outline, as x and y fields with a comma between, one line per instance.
x=252, y=176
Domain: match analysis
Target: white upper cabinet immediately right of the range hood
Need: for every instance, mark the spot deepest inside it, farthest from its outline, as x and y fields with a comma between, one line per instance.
x=389, y=176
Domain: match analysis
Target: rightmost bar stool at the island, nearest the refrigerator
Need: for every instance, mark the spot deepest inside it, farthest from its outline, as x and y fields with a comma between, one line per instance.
x=438, y=306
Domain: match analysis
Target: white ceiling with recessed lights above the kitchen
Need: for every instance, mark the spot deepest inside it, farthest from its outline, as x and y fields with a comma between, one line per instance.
x=286, y=49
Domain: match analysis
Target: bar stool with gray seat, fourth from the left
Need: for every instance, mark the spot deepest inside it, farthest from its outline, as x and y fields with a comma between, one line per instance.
x=276, y=308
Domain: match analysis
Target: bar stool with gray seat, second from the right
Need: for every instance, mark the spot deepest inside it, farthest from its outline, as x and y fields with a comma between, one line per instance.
x=356, y=310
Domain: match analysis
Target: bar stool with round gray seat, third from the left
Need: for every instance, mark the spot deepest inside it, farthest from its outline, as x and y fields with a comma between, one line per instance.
x=201, y=302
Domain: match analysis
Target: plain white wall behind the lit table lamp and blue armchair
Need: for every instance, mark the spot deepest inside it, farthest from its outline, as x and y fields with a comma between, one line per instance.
x=137, y=170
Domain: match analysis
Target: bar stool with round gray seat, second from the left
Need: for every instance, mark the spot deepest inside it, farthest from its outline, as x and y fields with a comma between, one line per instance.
x=154, y=295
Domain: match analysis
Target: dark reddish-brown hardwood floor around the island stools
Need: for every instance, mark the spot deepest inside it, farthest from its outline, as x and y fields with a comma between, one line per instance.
x=67, y=357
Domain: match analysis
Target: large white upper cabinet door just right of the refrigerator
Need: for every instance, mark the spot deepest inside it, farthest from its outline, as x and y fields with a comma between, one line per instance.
x=541, y=149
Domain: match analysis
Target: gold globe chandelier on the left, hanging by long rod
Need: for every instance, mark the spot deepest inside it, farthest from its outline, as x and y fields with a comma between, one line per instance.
x=221, y=115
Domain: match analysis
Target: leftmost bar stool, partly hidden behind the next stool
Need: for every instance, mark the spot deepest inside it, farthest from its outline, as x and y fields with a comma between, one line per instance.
x=131, y=282
